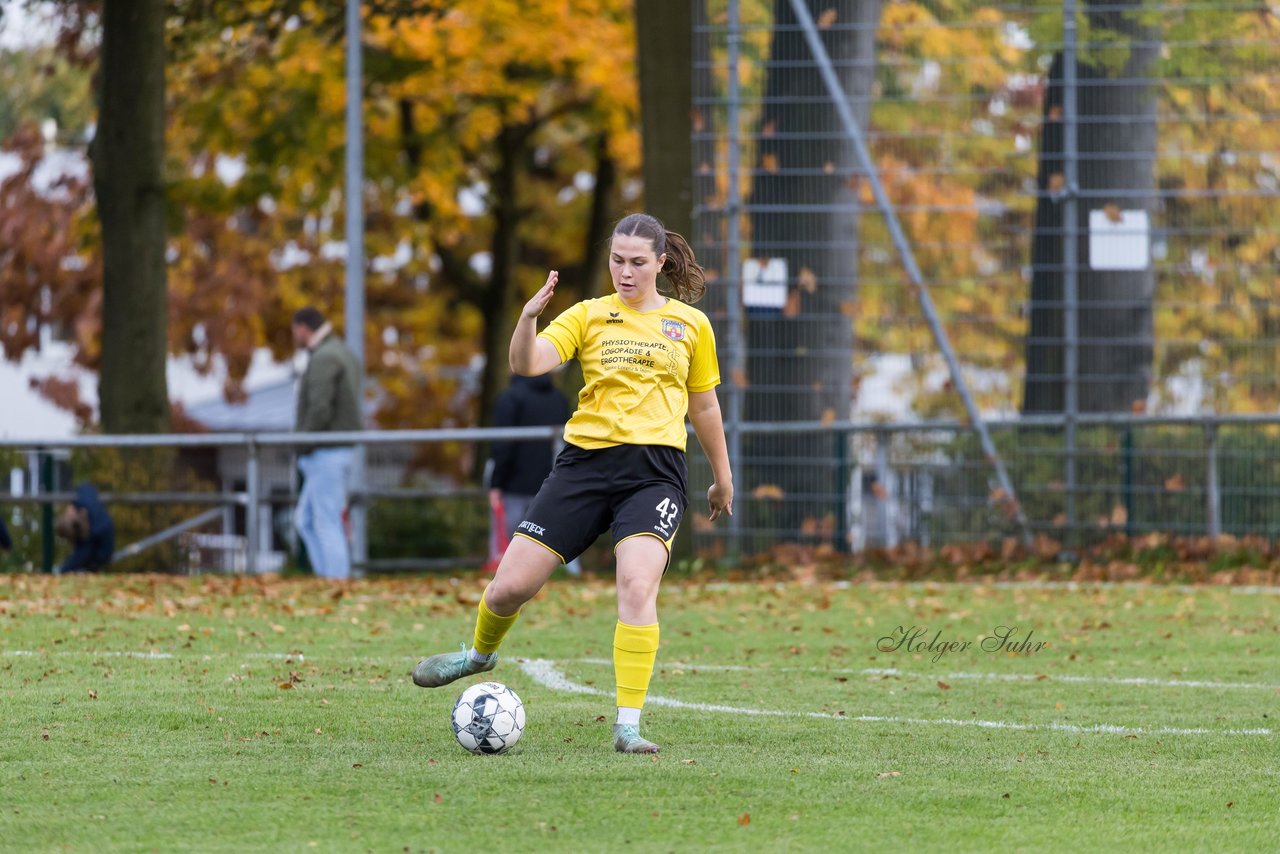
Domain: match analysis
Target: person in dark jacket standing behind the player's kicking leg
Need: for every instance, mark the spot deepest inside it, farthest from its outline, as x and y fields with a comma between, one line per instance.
x=518, y=469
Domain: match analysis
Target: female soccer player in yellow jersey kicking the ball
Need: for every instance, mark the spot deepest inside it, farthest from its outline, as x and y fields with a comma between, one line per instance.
x=647, y=360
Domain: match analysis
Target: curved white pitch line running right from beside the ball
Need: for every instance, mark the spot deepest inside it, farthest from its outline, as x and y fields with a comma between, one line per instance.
x=546, y=674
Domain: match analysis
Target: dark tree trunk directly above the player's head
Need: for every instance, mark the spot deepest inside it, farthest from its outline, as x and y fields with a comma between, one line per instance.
x=665, y=49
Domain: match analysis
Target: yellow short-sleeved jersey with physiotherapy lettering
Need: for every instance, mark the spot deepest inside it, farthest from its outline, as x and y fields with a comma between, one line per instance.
x=638, y=367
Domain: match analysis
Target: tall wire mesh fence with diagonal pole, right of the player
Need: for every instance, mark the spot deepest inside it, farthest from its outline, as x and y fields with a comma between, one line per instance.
x=1089, y=194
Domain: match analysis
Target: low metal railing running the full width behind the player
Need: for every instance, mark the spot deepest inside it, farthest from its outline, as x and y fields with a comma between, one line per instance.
x=225, y=503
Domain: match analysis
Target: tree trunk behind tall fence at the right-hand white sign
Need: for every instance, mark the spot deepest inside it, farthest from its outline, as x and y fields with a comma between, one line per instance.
x=1117, y=153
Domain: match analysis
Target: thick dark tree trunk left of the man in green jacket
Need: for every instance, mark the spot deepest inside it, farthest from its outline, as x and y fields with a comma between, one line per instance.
x=129, y=162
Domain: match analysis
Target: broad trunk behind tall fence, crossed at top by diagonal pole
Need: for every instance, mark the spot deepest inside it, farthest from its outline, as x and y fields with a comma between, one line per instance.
x=806, y=212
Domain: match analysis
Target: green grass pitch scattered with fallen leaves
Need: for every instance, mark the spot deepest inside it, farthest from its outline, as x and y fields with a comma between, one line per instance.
x=166, y=714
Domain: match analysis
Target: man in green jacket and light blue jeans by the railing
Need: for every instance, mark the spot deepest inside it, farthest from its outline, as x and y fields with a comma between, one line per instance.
x=328, y=400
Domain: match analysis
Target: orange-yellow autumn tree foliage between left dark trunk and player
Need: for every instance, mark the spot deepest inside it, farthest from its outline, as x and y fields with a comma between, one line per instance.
x=495, y=149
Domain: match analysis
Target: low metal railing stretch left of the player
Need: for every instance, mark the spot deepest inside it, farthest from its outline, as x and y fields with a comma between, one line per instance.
x=225, y=503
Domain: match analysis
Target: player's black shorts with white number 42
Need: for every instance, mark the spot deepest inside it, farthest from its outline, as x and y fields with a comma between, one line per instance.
x=629, y=490
